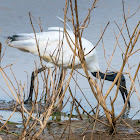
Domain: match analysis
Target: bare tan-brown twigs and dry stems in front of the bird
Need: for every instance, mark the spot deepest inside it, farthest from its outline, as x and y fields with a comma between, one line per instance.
x=36, y=119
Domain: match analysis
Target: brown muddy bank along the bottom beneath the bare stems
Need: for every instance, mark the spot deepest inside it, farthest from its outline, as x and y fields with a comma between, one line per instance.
x=77, y=129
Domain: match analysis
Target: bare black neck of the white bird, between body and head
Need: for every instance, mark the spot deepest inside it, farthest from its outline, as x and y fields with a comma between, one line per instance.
x=110, y=76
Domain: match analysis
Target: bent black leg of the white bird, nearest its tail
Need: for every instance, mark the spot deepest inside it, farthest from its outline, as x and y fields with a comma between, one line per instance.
x=34, y=74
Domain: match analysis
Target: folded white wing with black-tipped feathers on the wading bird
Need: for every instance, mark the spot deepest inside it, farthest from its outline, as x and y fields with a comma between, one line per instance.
x=50, y=45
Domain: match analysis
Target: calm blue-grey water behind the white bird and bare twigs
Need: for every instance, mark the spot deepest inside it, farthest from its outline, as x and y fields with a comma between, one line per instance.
x=14, y=19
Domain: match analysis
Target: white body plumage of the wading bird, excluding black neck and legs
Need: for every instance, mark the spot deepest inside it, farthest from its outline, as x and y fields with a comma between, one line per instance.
x=52, y=50
